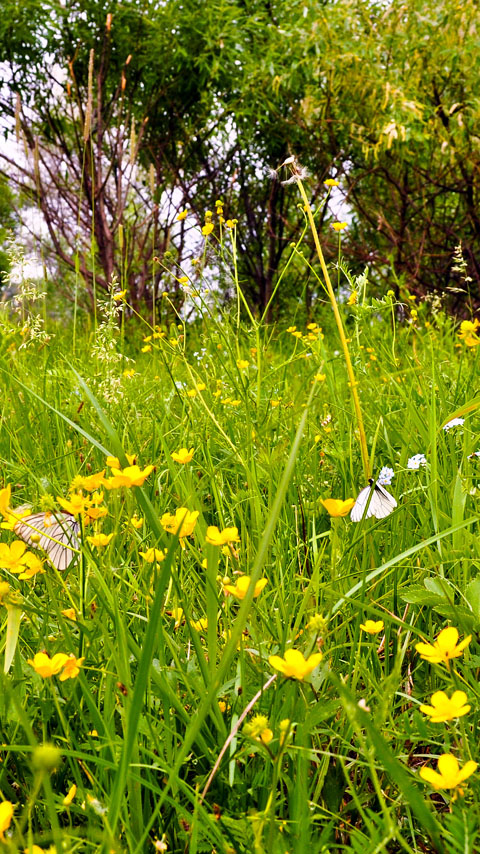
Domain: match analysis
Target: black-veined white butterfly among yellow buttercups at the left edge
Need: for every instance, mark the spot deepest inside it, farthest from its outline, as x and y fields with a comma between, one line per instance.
x=55, y=533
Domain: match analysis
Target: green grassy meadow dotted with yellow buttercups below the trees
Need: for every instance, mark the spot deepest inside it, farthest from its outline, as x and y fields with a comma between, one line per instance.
x=172, y=719
